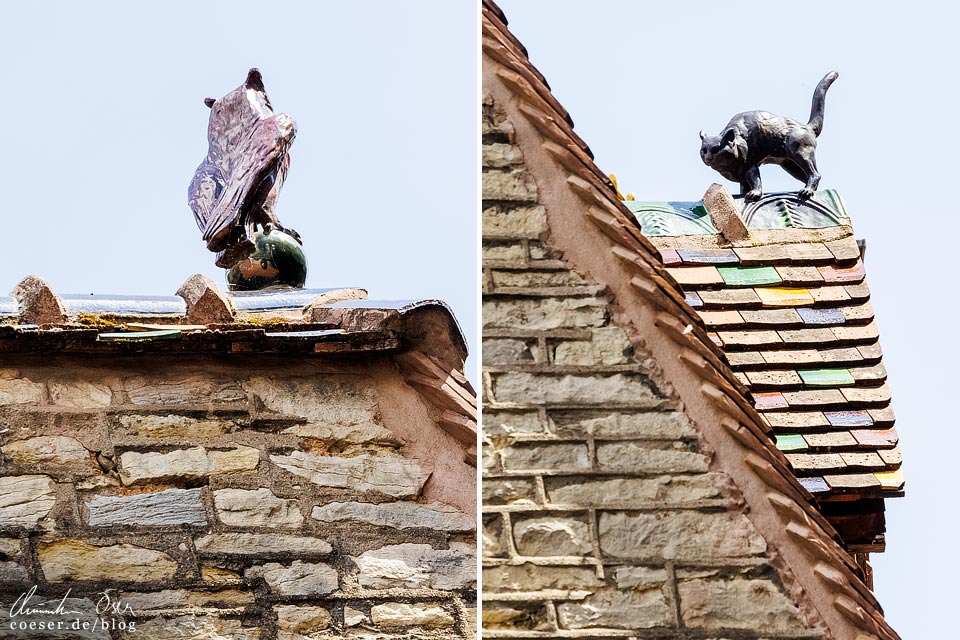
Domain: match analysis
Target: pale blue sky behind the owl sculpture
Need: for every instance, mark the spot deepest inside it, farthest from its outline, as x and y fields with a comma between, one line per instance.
x=104, y=125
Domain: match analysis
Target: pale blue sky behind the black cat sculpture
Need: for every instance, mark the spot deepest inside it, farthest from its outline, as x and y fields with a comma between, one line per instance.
x=640, y=79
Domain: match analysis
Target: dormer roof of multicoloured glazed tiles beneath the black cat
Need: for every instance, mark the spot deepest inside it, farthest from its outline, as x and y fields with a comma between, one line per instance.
x=792, y=313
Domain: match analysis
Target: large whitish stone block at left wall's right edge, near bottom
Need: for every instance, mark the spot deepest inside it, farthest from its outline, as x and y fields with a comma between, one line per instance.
x=418, y=565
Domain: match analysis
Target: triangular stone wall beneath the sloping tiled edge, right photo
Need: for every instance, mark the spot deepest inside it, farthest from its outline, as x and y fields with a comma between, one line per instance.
x=604, y=513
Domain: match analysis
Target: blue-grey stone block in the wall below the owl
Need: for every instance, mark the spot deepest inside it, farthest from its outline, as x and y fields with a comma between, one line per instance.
x=173, y=506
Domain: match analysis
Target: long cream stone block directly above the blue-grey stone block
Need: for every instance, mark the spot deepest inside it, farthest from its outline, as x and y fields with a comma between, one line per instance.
x=194, y=463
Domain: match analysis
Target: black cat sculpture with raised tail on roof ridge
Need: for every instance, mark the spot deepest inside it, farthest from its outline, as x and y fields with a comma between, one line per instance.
x=754, y=138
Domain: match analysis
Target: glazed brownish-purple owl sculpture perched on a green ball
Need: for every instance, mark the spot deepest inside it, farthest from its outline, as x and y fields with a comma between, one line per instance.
x=234, y=190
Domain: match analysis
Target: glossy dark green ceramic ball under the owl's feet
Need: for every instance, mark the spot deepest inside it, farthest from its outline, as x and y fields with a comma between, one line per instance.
x=278, y=261
